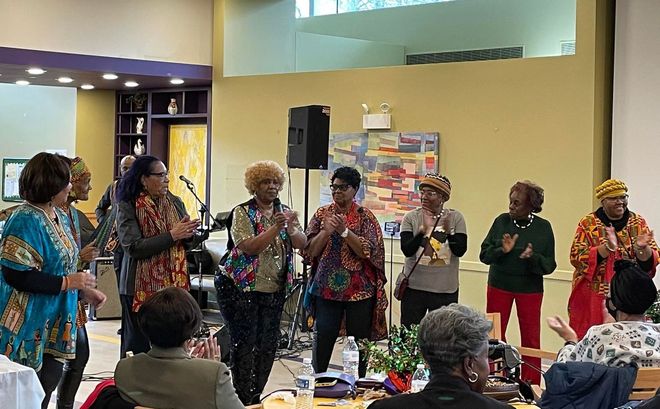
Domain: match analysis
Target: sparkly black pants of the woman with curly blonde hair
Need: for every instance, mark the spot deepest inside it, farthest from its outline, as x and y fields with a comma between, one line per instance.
x=253, y=319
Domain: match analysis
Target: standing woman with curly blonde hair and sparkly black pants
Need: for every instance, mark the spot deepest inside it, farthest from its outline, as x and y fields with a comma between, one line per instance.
x=258, y=272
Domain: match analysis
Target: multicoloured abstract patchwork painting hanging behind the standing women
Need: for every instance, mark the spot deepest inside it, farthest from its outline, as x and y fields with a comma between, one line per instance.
x=391, y=164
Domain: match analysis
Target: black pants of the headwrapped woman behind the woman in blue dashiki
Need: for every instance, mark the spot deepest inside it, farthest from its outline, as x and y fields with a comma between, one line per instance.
x=73, y=372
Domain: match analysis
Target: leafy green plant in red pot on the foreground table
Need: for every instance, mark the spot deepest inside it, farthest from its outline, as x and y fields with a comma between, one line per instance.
x=399, y=360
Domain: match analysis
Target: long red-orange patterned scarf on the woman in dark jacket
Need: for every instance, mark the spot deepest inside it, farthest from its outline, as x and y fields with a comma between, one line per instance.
x=167, y=268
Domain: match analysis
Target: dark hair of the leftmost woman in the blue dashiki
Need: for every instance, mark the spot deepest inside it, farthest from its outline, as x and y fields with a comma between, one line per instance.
x=44, y=176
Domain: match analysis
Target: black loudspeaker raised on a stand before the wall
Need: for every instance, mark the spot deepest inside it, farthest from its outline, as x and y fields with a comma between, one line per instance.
x=309, y=131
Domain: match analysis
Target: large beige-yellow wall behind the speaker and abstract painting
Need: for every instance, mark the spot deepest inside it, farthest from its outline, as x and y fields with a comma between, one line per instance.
x=500, y=121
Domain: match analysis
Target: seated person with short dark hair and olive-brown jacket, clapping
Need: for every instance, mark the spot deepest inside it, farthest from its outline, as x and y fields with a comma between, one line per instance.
x=168, y=376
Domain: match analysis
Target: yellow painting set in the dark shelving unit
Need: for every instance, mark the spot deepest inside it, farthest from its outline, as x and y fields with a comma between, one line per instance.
x=188, y=158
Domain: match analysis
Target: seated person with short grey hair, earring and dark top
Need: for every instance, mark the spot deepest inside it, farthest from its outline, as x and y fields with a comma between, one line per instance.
x=454, y=342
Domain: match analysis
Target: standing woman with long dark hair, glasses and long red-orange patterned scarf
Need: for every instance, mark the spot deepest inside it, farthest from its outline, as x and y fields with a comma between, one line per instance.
x=153, y=228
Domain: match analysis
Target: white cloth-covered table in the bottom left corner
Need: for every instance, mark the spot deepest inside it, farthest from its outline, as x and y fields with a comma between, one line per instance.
x=19, y=386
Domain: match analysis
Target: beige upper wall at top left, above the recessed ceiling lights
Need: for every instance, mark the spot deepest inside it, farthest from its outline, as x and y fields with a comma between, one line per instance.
x=161, y=30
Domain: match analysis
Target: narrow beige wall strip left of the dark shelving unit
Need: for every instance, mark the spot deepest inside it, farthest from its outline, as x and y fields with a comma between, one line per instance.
x=95, y=140
